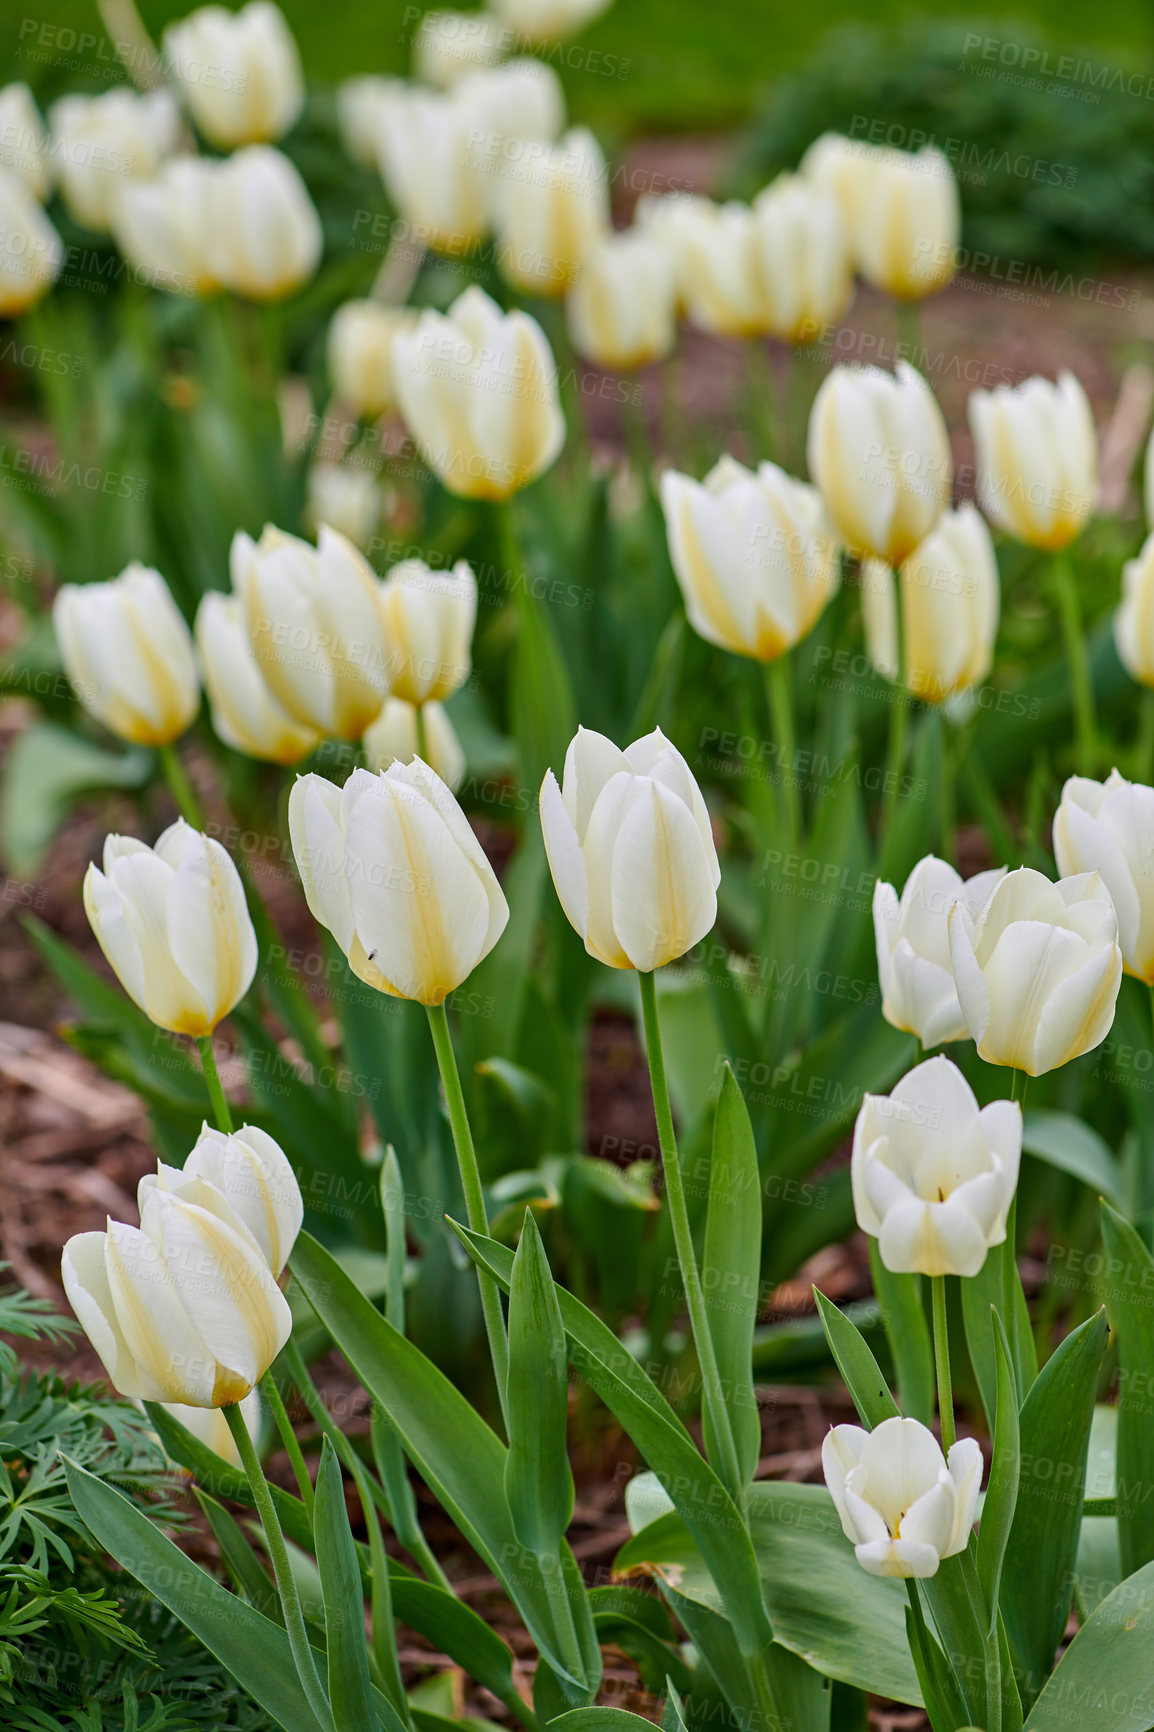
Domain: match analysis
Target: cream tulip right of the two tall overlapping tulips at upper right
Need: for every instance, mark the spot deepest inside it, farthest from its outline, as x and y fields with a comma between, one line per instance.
x=1037, y=460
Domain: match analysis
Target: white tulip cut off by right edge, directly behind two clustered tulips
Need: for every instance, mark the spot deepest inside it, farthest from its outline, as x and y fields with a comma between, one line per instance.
x=1108, y=827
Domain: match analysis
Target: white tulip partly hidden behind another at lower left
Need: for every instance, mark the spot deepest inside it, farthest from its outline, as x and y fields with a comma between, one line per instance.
x=254, y=1187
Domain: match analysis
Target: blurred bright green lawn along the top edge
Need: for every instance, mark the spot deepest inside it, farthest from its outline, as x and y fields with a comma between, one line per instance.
x=677, y=65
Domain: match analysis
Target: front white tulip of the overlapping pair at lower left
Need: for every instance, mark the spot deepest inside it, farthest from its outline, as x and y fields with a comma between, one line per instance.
x=183, y=1309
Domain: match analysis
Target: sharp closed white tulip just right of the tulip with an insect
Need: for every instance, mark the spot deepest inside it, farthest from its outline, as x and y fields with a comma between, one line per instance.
x=632, y=850
